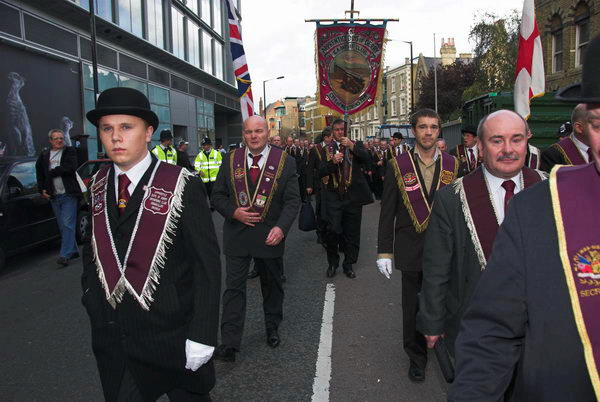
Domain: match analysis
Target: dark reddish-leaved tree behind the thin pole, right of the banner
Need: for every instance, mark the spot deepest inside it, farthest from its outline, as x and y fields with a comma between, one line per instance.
x=452, y=80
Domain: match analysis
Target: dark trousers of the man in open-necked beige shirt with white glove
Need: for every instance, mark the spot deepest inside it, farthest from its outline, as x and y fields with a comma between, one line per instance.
x=414, y=342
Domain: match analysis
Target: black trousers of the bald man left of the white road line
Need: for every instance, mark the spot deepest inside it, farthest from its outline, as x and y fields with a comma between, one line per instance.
x=234, y=297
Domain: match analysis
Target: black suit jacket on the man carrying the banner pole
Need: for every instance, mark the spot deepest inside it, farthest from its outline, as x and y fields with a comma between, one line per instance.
x=359, y=192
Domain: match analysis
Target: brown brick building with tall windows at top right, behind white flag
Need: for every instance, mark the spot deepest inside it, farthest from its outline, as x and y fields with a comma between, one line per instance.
x=566, y=27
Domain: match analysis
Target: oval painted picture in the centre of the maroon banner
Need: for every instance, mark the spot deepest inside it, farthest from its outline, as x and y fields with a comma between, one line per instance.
x=349, y=75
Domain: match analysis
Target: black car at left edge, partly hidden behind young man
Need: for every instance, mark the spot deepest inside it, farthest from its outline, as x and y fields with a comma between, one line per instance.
x=26, y=218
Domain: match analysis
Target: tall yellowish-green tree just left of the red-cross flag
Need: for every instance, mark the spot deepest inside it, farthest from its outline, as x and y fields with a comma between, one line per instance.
x=496, y=47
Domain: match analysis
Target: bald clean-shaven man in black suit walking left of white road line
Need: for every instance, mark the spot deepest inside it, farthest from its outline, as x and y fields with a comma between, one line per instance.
x=257, y=193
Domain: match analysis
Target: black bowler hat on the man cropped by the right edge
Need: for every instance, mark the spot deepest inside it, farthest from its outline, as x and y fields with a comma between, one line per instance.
x=588, y=90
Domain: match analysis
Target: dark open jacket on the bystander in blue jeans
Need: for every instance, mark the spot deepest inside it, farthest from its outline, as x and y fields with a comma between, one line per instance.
x=66, y=170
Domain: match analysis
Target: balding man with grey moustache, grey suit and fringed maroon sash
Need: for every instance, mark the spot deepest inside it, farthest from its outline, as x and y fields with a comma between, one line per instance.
x=465, y=218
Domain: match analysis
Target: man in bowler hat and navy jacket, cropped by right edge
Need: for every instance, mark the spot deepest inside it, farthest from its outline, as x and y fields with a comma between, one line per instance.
x=531, y=330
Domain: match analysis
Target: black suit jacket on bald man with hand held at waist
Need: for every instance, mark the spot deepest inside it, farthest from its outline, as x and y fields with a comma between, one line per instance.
x=242, y=240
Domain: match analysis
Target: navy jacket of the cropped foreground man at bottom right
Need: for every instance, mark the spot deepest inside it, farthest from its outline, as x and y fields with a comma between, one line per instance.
x=519, y=325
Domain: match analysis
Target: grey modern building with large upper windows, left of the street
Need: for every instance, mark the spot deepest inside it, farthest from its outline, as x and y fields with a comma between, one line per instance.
x=175, y=51
